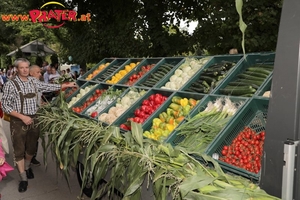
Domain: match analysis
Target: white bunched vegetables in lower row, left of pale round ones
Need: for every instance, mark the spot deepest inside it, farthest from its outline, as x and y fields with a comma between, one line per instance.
x=106, y=97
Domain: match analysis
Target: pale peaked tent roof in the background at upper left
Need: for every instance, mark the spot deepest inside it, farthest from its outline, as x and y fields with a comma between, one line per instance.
x=35, y=47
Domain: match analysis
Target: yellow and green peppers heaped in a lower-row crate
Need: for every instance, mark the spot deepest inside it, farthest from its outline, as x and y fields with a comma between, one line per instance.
x=168, y=120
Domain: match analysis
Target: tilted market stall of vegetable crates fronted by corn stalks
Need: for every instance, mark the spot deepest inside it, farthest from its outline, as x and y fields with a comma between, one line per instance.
x=157, y=128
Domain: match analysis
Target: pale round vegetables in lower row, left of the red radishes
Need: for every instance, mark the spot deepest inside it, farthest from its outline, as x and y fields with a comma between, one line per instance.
x=123, y=103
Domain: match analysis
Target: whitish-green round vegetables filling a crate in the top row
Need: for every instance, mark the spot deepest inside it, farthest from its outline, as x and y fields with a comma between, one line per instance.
x=185, y=72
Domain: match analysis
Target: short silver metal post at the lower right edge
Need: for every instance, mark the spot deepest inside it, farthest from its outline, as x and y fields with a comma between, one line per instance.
x=288, y=170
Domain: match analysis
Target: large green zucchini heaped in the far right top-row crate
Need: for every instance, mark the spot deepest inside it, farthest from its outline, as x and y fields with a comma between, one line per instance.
x=248, y=81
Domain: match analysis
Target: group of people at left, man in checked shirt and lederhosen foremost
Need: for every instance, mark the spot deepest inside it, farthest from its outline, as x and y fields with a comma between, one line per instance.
x=22, y=96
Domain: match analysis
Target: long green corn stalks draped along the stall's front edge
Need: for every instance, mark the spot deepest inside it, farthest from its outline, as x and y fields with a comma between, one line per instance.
x=134, y=164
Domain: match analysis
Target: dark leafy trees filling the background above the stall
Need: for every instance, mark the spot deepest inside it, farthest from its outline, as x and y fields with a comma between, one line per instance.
x=144, y=28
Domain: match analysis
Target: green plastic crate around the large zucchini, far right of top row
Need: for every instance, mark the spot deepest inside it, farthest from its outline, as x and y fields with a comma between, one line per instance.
x=248, y=61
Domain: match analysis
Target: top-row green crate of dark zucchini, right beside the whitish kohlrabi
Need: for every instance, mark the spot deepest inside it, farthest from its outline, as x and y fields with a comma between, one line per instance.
x=216, y=59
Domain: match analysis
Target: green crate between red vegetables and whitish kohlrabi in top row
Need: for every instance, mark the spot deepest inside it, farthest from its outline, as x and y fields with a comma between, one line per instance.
x=171, y=61
